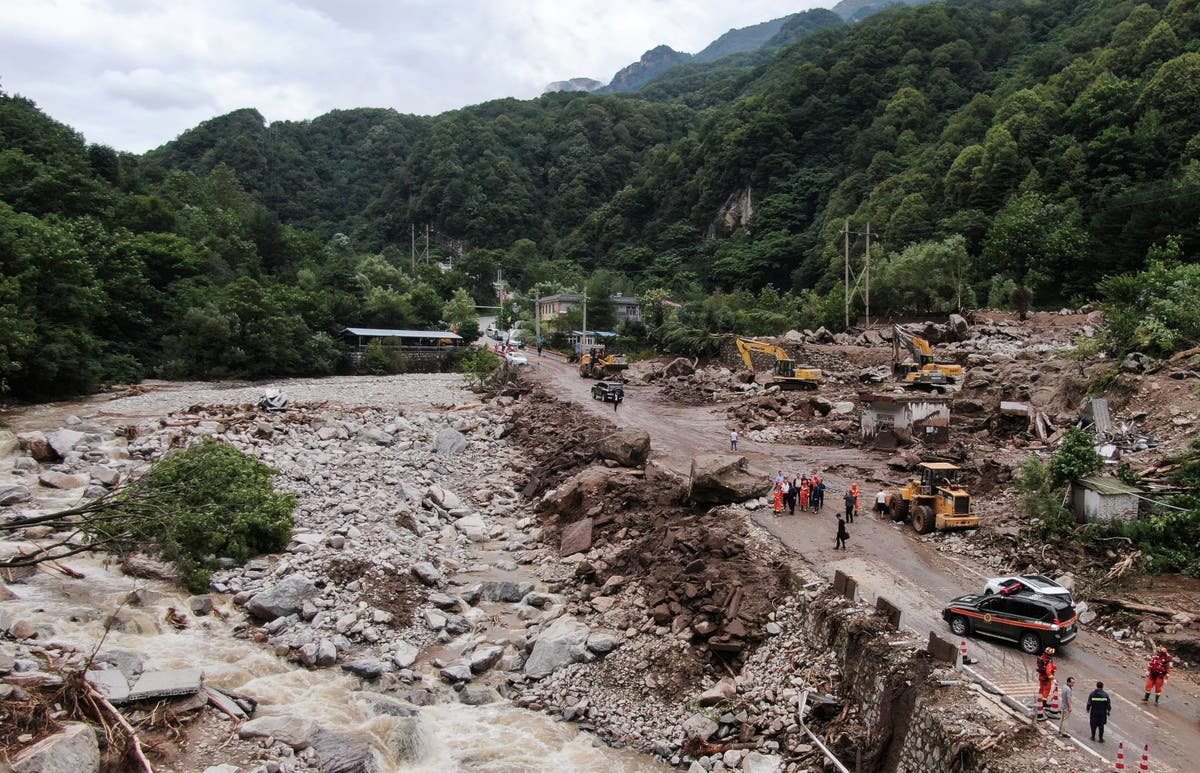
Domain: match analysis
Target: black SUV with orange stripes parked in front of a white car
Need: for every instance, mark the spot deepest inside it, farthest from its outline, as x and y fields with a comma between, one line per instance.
x=1033, y=621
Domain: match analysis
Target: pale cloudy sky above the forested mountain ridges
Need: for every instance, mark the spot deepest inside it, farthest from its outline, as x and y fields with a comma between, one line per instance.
x=135, y=74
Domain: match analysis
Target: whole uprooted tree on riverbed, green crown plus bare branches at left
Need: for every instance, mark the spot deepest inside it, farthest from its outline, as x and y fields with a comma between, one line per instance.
x=193, y=508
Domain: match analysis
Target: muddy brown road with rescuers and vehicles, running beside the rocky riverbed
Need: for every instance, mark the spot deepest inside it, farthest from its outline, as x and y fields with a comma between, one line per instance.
x=891, y=560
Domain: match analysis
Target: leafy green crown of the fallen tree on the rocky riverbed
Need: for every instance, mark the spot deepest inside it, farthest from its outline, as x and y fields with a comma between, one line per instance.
x=200, y=505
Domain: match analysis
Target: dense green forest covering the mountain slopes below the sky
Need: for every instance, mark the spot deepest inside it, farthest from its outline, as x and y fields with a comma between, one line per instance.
x=995, y=151
